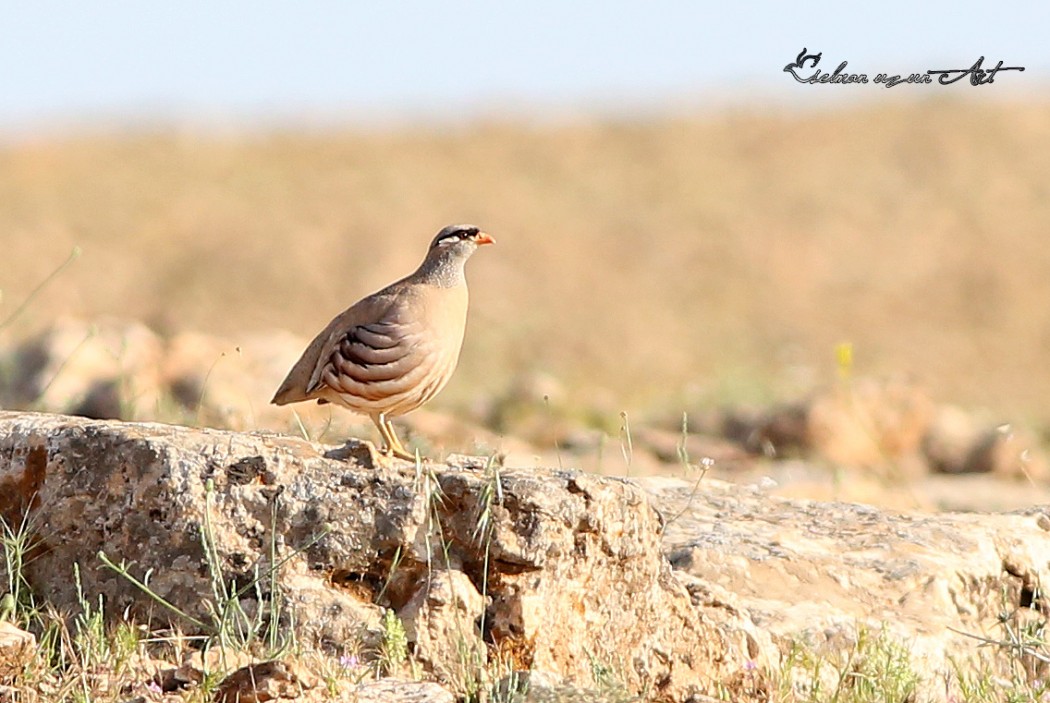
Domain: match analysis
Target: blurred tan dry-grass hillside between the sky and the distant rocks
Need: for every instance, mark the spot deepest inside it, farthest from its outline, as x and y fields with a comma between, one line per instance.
x=661, y=265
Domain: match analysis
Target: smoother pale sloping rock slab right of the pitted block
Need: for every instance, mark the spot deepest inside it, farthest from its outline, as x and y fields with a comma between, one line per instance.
x=815, y=572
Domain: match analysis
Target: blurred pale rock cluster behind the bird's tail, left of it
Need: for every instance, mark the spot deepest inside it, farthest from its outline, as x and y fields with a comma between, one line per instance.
x=115, y=369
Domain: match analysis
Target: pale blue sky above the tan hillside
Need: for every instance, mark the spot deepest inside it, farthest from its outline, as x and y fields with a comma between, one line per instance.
x=236, y=62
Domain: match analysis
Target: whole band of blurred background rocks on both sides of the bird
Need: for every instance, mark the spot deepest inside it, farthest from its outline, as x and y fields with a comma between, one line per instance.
x=115, y=369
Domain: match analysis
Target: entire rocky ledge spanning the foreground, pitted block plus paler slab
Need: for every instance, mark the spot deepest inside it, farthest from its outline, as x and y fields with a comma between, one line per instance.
x=684, y=590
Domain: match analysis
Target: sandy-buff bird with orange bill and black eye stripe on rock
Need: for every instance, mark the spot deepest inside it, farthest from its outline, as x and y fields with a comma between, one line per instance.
x=395, y=350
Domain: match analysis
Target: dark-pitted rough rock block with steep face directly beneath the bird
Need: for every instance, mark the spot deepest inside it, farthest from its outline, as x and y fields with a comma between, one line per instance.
x=571, y=565
